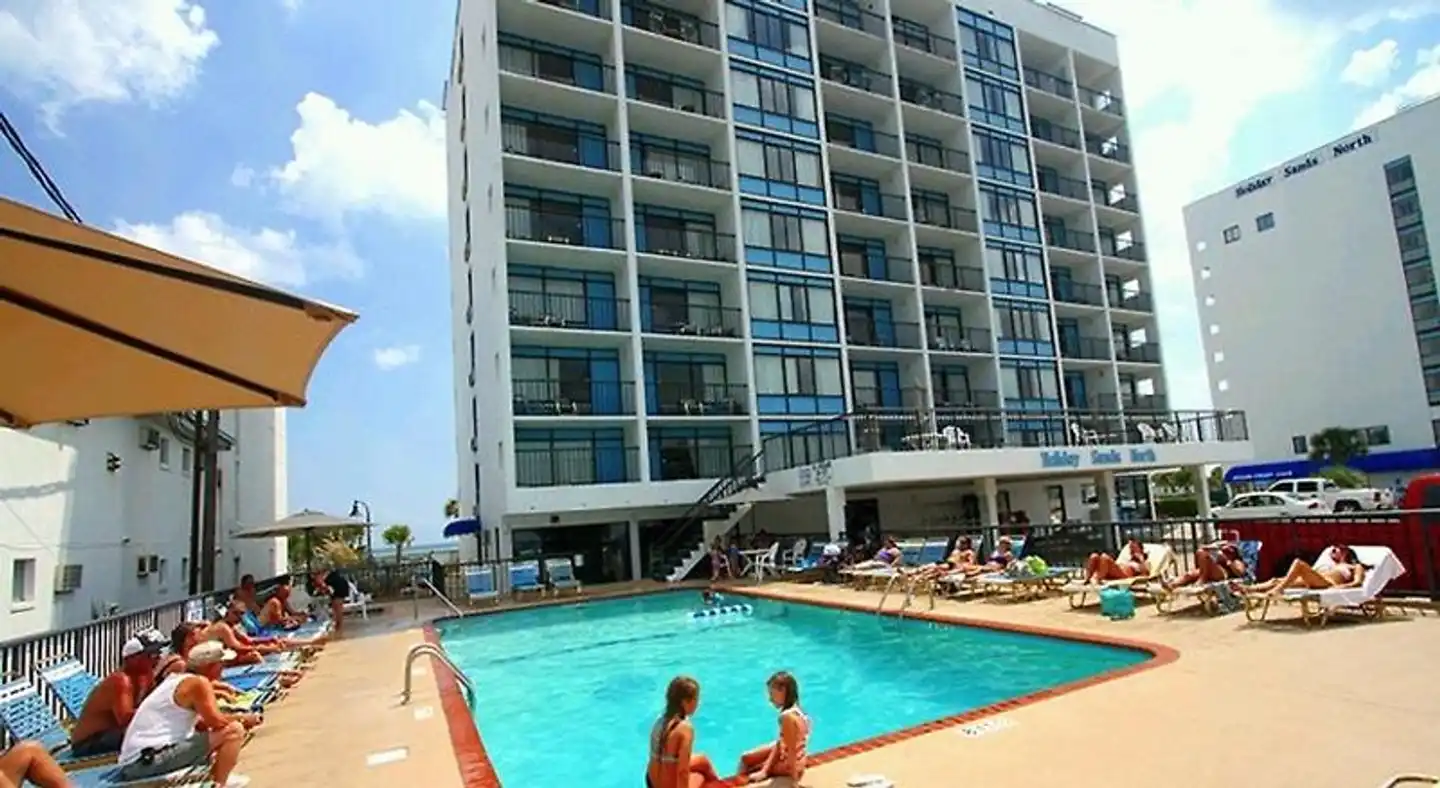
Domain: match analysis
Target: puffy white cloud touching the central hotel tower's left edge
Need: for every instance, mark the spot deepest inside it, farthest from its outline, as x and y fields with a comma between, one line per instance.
x=343, y=165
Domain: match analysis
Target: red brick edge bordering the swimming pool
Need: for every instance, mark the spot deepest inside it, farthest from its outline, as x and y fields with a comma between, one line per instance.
x=477, y=771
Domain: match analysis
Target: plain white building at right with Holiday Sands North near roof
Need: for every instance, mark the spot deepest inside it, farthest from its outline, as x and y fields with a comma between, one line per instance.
x=1317, y=299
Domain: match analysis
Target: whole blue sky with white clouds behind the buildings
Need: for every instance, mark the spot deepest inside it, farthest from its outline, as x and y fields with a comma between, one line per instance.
x=302, y=143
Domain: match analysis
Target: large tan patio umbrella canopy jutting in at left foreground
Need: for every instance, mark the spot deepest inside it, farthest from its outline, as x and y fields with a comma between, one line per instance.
x=96, y=326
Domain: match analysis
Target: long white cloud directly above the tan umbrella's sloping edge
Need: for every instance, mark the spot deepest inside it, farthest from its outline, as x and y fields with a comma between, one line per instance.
x=266, y=256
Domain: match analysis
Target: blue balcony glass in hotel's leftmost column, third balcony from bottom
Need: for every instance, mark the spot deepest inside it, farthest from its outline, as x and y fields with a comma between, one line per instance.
x=558, y=296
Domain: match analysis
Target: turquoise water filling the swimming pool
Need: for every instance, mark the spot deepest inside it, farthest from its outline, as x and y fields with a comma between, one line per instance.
x=567, y=695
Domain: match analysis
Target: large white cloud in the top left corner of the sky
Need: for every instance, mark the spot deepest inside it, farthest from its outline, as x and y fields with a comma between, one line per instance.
x=71, y=53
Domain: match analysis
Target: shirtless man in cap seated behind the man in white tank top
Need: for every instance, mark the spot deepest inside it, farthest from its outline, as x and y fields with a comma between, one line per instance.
x=113, y=702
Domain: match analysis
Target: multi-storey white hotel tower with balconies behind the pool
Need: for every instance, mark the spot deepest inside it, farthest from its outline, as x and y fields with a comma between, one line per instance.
x=682, y=231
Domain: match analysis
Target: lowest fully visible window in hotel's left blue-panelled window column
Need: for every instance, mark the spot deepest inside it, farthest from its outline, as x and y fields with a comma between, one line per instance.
x=800, y=381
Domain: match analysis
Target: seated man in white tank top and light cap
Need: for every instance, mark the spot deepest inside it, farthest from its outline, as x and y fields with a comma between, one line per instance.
x=162, y=737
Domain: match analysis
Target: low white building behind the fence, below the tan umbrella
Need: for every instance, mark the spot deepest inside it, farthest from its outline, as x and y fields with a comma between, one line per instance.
x=96, y=516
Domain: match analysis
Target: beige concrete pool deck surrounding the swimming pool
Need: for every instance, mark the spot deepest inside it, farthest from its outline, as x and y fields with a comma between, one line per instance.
x=1338, y=708
